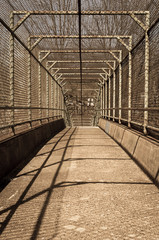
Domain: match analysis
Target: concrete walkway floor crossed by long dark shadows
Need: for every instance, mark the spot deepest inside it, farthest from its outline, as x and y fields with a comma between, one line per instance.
x=80, y=185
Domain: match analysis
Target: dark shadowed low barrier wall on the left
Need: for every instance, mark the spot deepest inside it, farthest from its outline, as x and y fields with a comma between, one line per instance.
x=16, y=149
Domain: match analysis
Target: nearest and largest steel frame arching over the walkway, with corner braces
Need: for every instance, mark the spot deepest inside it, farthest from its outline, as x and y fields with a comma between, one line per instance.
x=132, y=14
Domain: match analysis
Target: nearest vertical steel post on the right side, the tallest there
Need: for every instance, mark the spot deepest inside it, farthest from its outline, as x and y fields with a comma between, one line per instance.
x=146, y=72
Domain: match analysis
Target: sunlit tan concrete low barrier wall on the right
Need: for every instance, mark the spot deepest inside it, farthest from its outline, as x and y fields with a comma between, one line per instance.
x=142, y=149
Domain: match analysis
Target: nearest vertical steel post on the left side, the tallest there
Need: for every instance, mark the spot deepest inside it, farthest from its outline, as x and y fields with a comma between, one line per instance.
x=12, y=70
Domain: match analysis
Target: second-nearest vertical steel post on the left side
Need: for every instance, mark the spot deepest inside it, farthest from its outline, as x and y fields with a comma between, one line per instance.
x=29, y=82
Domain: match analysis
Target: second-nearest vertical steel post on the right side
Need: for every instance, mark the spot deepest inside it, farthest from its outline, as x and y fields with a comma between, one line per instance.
x=130, y=81
